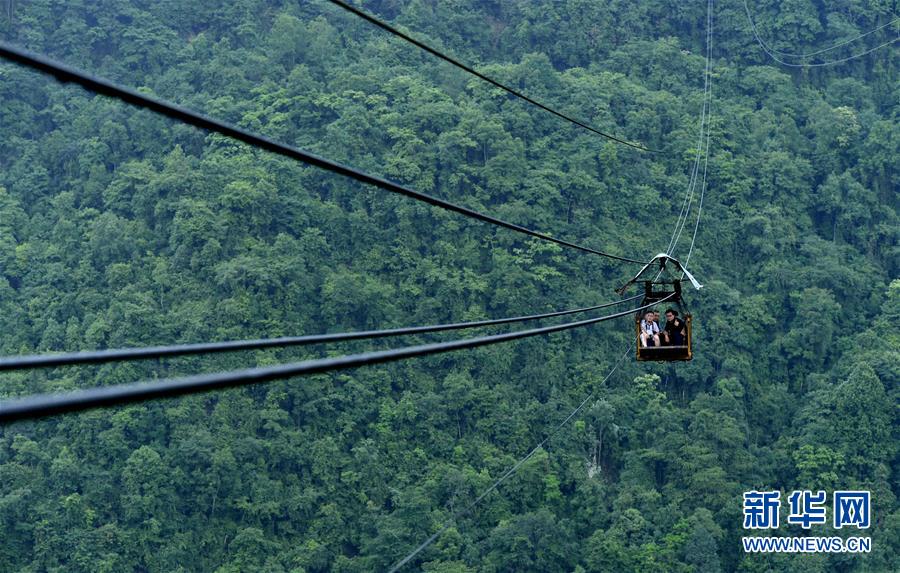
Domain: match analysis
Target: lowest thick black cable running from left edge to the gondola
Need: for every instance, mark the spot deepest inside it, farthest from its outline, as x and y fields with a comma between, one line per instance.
x=41, y=405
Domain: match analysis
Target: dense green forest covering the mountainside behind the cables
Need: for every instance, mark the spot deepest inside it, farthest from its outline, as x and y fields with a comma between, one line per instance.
x=119, y=227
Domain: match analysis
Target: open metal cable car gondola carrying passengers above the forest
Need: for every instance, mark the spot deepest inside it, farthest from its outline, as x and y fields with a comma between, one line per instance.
x=667, y=293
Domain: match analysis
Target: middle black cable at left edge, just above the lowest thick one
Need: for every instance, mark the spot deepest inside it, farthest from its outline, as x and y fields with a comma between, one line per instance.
x=168, y=351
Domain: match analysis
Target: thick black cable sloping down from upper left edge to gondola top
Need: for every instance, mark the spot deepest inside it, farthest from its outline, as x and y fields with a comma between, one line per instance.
x=102, y=86
